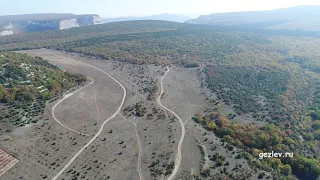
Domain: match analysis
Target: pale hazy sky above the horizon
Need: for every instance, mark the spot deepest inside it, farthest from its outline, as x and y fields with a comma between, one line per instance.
x=120, y=8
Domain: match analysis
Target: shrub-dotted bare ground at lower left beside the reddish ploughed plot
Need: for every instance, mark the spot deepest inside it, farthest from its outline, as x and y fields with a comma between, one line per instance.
x=42, y=149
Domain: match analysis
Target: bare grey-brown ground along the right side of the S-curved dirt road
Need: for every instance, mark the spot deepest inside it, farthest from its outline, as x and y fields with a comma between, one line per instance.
x=183, y=96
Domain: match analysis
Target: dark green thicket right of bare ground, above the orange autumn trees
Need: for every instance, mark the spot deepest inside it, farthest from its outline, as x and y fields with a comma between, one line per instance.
x=242, y=87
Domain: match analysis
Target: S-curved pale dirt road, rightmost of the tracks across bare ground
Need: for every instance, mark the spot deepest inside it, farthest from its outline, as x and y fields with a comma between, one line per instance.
x=178, y=156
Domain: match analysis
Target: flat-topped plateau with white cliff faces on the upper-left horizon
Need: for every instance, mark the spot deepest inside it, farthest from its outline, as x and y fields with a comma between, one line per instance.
x=42, y=22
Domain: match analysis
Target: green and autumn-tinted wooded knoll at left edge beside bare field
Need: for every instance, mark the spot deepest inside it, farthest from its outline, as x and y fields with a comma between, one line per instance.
x=27, y=83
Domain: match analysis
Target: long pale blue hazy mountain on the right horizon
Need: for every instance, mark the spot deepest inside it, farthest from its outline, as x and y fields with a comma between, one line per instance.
x=294, y=18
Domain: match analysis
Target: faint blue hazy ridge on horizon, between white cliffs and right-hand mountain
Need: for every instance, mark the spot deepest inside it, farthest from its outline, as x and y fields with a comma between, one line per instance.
x=164, y=17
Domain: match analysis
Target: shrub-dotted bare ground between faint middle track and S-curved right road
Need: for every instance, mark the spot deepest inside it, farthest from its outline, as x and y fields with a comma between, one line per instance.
x=157, y=130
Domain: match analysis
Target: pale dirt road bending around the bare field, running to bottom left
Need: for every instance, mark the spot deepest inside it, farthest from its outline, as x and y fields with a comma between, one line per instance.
x=101, y=128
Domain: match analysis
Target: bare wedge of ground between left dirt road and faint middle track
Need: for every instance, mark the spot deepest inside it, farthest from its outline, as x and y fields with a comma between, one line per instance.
x=113, y=156
